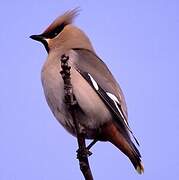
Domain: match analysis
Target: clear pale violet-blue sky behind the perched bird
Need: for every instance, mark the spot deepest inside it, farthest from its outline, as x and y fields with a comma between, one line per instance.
x=138, y=40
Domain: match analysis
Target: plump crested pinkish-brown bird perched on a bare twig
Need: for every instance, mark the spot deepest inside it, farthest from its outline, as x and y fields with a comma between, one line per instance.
x=101, y=107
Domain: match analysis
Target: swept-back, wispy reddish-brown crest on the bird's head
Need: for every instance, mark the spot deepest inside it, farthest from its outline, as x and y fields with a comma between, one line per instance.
x=60, y=22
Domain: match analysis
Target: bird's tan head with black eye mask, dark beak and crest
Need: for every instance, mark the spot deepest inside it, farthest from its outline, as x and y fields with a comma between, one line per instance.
x=63, y=34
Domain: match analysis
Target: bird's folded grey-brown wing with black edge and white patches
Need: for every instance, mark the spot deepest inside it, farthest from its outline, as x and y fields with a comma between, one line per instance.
x=93, y=69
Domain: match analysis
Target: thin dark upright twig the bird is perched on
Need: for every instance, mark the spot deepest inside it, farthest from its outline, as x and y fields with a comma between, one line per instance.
x=82, y=152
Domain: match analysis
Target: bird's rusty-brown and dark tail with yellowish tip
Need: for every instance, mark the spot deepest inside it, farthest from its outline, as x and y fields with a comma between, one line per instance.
x=125, y=144
